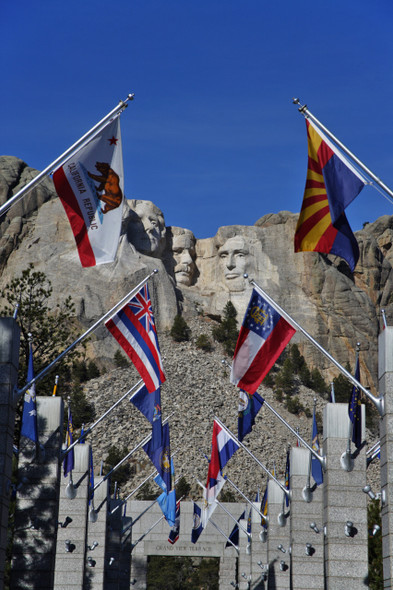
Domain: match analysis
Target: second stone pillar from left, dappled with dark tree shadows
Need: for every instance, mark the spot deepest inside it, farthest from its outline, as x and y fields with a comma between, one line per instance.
x=36, y=513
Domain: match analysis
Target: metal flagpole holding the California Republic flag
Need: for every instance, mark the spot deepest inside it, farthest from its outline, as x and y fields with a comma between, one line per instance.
x=65, y=156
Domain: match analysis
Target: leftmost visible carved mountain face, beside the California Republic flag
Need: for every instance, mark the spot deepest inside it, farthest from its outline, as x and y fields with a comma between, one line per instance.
x=146, y=228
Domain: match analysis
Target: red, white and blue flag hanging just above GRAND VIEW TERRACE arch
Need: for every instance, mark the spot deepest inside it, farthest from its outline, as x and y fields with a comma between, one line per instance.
x=223, y=447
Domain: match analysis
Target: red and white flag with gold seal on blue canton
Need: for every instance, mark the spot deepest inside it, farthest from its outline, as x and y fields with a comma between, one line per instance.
x=263, y=336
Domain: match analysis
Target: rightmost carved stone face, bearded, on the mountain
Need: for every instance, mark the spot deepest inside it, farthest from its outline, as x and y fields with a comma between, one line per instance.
x=234, y=259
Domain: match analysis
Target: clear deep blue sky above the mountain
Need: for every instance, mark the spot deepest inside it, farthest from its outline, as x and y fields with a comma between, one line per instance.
x=212, y=136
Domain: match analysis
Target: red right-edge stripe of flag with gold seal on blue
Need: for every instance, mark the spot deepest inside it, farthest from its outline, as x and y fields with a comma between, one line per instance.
x=266, y=356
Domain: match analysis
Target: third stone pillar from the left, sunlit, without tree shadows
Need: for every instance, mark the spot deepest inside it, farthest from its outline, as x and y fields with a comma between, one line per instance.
x=71, y=549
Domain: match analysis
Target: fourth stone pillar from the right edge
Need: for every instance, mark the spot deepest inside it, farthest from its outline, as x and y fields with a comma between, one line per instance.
x=278, y=560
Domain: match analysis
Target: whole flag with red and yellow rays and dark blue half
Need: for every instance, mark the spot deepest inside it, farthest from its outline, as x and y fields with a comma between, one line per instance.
x=332, y=184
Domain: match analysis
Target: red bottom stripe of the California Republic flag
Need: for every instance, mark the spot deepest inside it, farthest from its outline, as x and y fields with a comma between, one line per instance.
x=75, y=218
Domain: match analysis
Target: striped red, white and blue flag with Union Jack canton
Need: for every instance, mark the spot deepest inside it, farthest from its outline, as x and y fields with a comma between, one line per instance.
x=134, y=328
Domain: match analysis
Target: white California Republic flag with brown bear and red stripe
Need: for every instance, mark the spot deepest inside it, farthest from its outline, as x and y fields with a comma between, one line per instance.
x=90, y=187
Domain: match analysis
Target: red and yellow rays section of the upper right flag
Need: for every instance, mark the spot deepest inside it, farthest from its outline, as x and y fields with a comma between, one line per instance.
x=315, y=231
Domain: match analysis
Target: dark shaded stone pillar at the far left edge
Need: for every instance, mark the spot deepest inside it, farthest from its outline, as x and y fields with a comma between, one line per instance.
x=9, y=363
